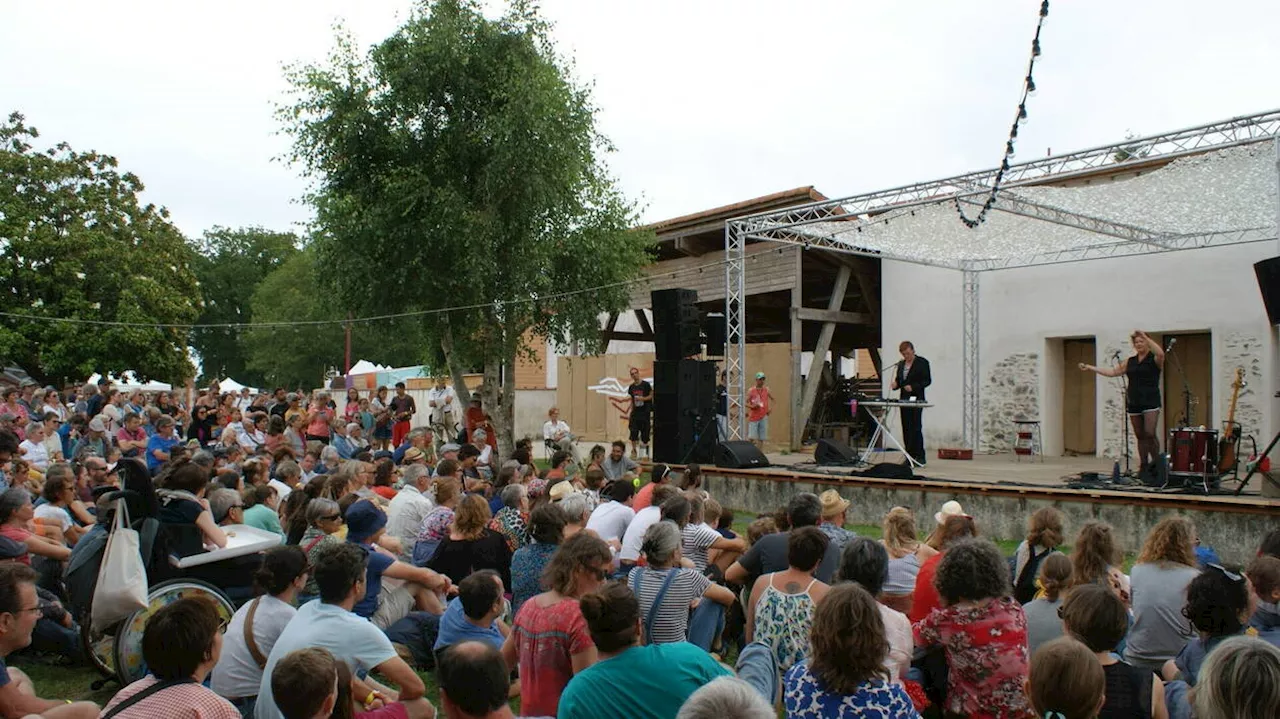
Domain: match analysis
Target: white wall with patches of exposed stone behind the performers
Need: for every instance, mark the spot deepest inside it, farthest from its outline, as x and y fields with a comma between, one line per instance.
x=1026, y=313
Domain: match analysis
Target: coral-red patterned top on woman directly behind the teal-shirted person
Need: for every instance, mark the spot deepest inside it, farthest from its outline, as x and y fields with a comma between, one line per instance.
x=547, y=638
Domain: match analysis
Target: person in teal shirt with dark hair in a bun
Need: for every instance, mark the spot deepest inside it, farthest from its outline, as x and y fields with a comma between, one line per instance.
x=629, y=679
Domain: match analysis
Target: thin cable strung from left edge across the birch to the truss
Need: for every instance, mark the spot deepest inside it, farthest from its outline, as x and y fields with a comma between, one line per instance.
x=355, y=320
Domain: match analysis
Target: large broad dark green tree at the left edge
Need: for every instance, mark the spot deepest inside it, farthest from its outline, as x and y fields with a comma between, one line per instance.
x=76, y=244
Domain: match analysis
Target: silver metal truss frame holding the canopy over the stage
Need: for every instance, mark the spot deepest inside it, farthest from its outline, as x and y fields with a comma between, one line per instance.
x=829, y=226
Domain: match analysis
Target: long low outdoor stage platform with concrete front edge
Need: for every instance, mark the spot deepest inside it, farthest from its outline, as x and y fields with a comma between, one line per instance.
x=1000, y=493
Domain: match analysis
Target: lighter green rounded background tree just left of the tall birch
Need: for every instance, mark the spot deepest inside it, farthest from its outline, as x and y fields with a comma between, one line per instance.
x=300, y=355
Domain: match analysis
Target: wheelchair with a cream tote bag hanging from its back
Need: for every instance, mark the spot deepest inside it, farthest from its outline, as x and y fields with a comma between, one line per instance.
x=116, y=652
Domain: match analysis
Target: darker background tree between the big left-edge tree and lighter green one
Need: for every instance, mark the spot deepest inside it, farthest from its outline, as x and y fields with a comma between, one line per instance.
x=230, y=265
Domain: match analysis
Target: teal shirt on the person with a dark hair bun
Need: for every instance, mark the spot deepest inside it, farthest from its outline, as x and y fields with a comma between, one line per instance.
x=642, y=683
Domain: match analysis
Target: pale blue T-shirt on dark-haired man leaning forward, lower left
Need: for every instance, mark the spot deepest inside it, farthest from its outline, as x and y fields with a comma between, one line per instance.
x=350, y=638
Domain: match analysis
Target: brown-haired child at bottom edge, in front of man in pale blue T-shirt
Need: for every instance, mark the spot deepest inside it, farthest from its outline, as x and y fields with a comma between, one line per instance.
x=313, y=685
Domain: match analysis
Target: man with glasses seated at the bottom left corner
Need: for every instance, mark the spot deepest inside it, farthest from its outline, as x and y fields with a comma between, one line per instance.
x=20, y=611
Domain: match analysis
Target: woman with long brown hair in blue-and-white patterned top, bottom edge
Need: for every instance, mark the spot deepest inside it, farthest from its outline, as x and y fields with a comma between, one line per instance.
x=845, y=676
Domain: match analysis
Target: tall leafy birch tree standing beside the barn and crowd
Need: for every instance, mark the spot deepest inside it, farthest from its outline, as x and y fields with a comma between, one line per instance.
x=458, y=166
